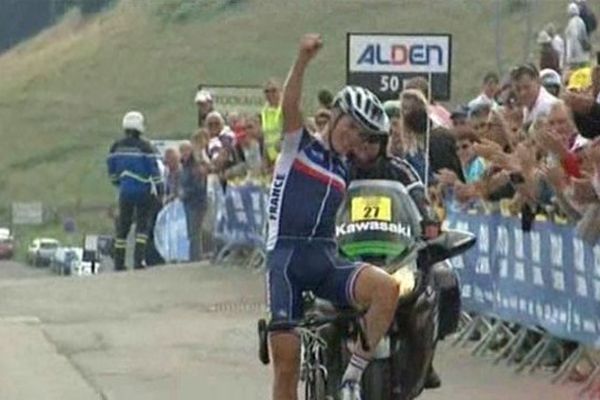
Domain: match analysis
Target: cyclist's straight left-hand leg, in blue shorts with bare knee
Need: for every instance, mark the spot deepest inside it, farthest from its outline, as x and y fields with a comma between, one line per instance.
x=285, y=306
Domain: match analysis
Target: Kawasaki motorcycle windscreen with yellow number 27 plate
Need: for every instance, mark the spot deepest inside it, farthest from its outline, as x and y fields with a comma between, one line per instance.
x=377, y=222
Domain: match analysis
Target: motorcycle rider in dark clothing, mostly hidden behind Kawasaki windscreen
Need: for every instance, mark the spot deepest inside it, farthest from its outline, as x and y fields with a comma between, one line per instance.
x=372, y=161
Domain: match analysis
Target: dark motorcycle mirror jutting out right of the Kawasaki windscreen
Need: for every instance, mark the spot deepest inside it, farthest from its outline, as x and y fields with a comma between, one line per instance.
x=448, y=244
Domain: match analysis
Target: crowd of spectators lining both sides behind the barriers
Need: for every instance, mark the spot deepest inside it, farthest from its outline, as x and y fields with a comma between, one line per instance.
x=525, y=145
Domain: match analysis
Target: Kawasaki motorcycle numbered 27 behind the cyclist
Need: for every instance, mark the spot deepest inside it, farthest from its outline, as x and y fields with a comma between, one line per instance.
x=380, y=224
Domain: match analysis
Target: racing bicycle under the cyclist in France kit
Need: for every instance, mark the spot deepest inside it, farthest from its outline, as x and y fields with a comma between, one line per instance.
x=313, y=370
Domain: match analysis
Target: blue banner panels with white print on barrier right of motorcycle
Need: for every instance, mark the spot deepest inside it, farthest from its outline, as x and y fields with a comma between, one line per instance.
x=546, y=277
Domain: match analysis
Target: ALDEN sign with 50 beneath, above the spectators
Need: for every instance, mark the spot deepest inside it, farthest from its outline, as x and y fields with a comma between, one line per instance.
x=383, y=62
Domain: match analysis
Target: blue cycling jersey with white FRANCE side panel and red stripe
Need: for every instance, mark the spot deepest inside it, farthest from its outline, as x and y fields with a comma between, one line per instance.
x=308, y=186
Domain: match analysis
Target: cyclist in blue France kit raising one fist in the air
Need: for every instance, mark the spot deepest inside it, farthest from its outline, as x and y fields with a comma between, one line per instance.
x=309, y=181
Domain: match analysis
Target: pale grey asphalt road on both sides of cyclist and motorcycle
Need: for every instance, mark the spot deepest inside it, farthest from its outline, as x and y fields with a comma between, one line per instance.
x=177, y=332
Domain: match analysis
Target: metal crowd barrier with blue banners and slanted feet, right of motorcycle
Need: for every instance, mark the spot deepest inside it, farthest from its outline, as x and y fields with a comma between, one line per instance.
x=527, y=294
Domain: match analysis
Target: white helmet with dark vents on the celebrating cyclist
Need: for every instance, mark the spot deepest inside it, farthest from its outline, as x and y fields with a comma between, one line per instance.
x=365, y=108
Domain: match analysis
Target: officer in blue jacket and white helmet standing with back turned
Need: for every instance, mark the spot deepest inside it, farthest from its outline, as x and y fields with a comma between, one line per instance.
x=133, y=168
